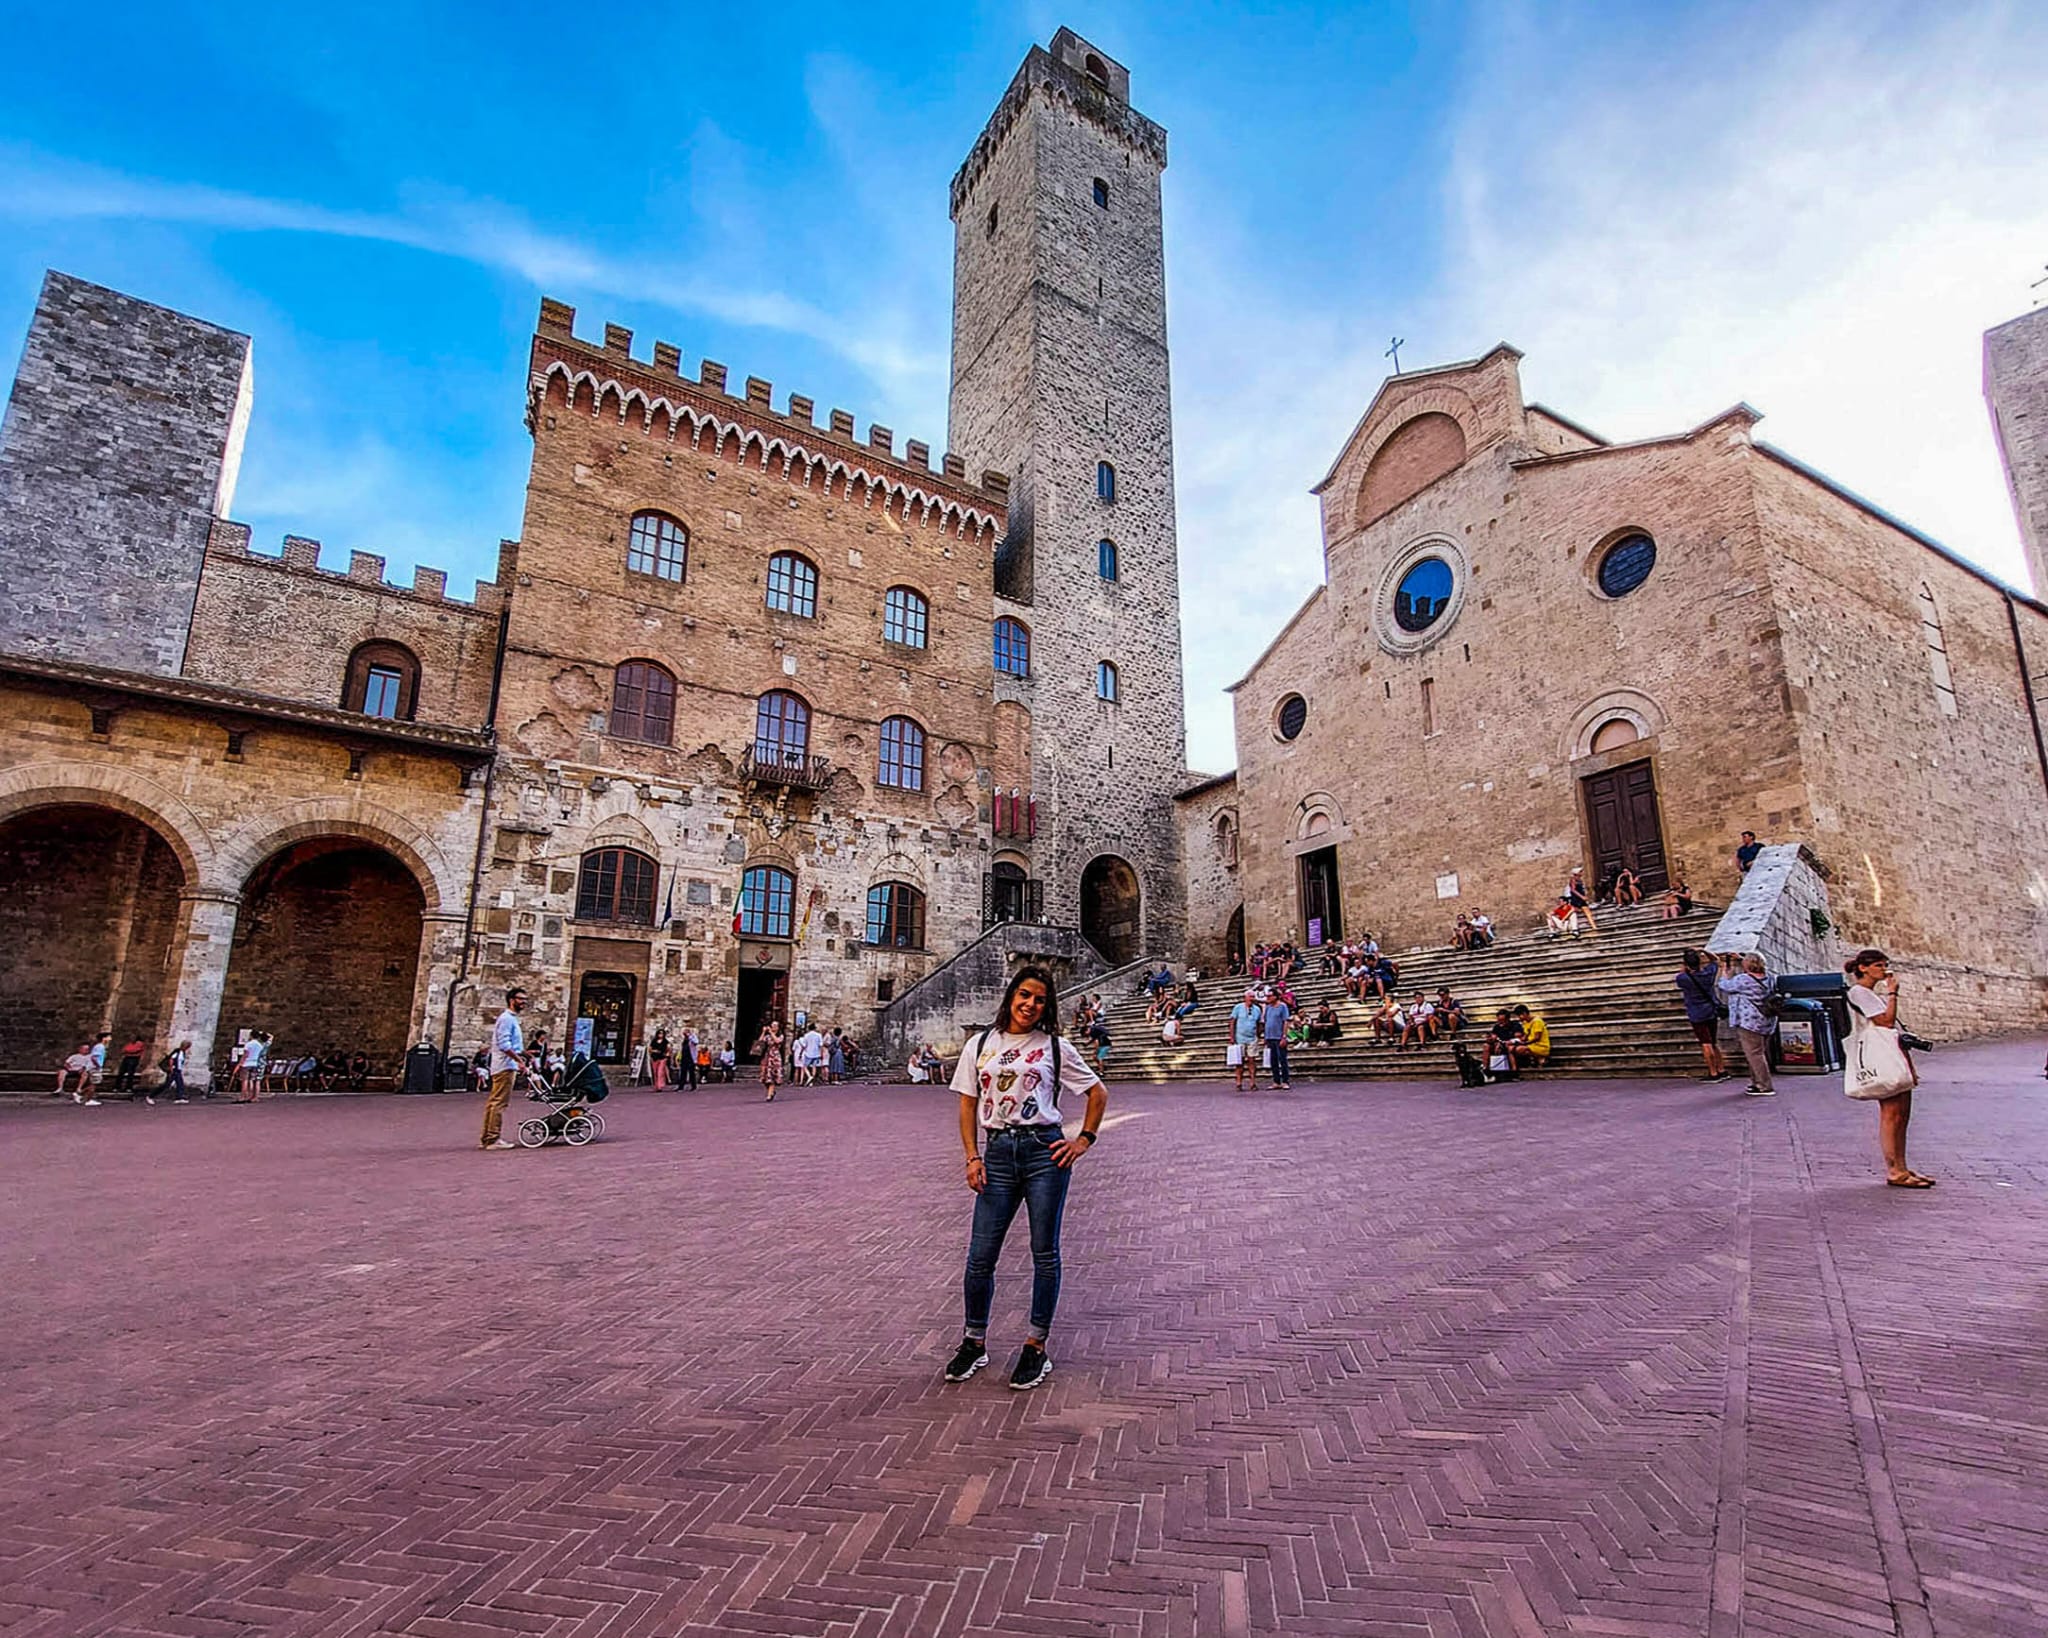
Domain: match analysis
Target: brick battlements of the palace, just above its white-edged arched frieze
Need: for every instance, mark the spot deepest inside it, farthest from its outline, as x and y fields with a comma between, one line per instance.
x=660, y=382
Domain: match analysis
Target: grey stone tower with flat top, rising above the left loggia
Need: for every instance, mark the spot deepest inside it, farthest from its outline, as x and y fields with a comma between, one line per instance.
x=120, y=447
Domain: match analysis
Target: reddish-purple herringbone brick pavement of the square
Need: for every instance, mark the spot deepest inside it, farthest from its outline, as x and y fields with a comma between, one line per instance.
x=1385, y=1361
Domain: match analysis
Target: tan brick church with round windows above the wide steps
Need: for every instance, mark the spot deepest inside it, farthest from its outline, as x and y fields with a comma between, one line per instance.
x=1535, y=650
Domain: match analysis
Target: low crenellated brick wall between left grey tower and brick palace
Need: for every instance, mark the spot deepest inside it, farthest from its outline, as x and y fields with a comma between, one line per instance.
x=294, y=626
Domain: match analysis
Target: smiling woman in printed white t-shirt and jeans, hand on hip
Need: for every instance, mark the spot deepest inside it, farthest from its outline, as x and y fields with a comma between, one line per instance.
x=1011, y=1082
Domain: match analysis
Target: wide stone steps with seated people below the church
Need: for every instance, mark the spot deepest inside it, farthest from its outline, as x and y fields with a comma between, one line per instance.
x=1609, y=1000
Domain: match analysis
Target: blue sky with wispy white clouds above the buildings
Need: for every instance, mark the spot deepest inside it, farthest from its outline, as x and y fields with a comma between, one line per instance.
x=1668, y=208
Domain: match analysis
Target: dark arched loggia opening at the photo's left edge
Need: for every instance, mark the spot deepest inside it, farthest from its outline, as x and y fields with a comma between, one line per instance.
x=89, y=920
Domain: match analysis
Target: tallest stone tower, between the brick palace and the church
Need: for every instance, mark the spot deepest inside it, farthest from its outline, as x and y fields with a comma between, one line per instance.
x=1060, y=380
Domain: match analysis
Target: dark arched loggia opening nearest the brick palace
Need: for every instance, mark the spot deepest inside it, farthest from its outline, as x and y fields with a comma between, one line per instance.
x=327, y=953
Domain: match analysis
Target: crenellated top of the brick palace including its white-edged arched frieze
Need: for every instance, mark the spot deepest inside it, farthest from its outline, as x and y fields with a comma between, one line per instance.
x=660, y=396
